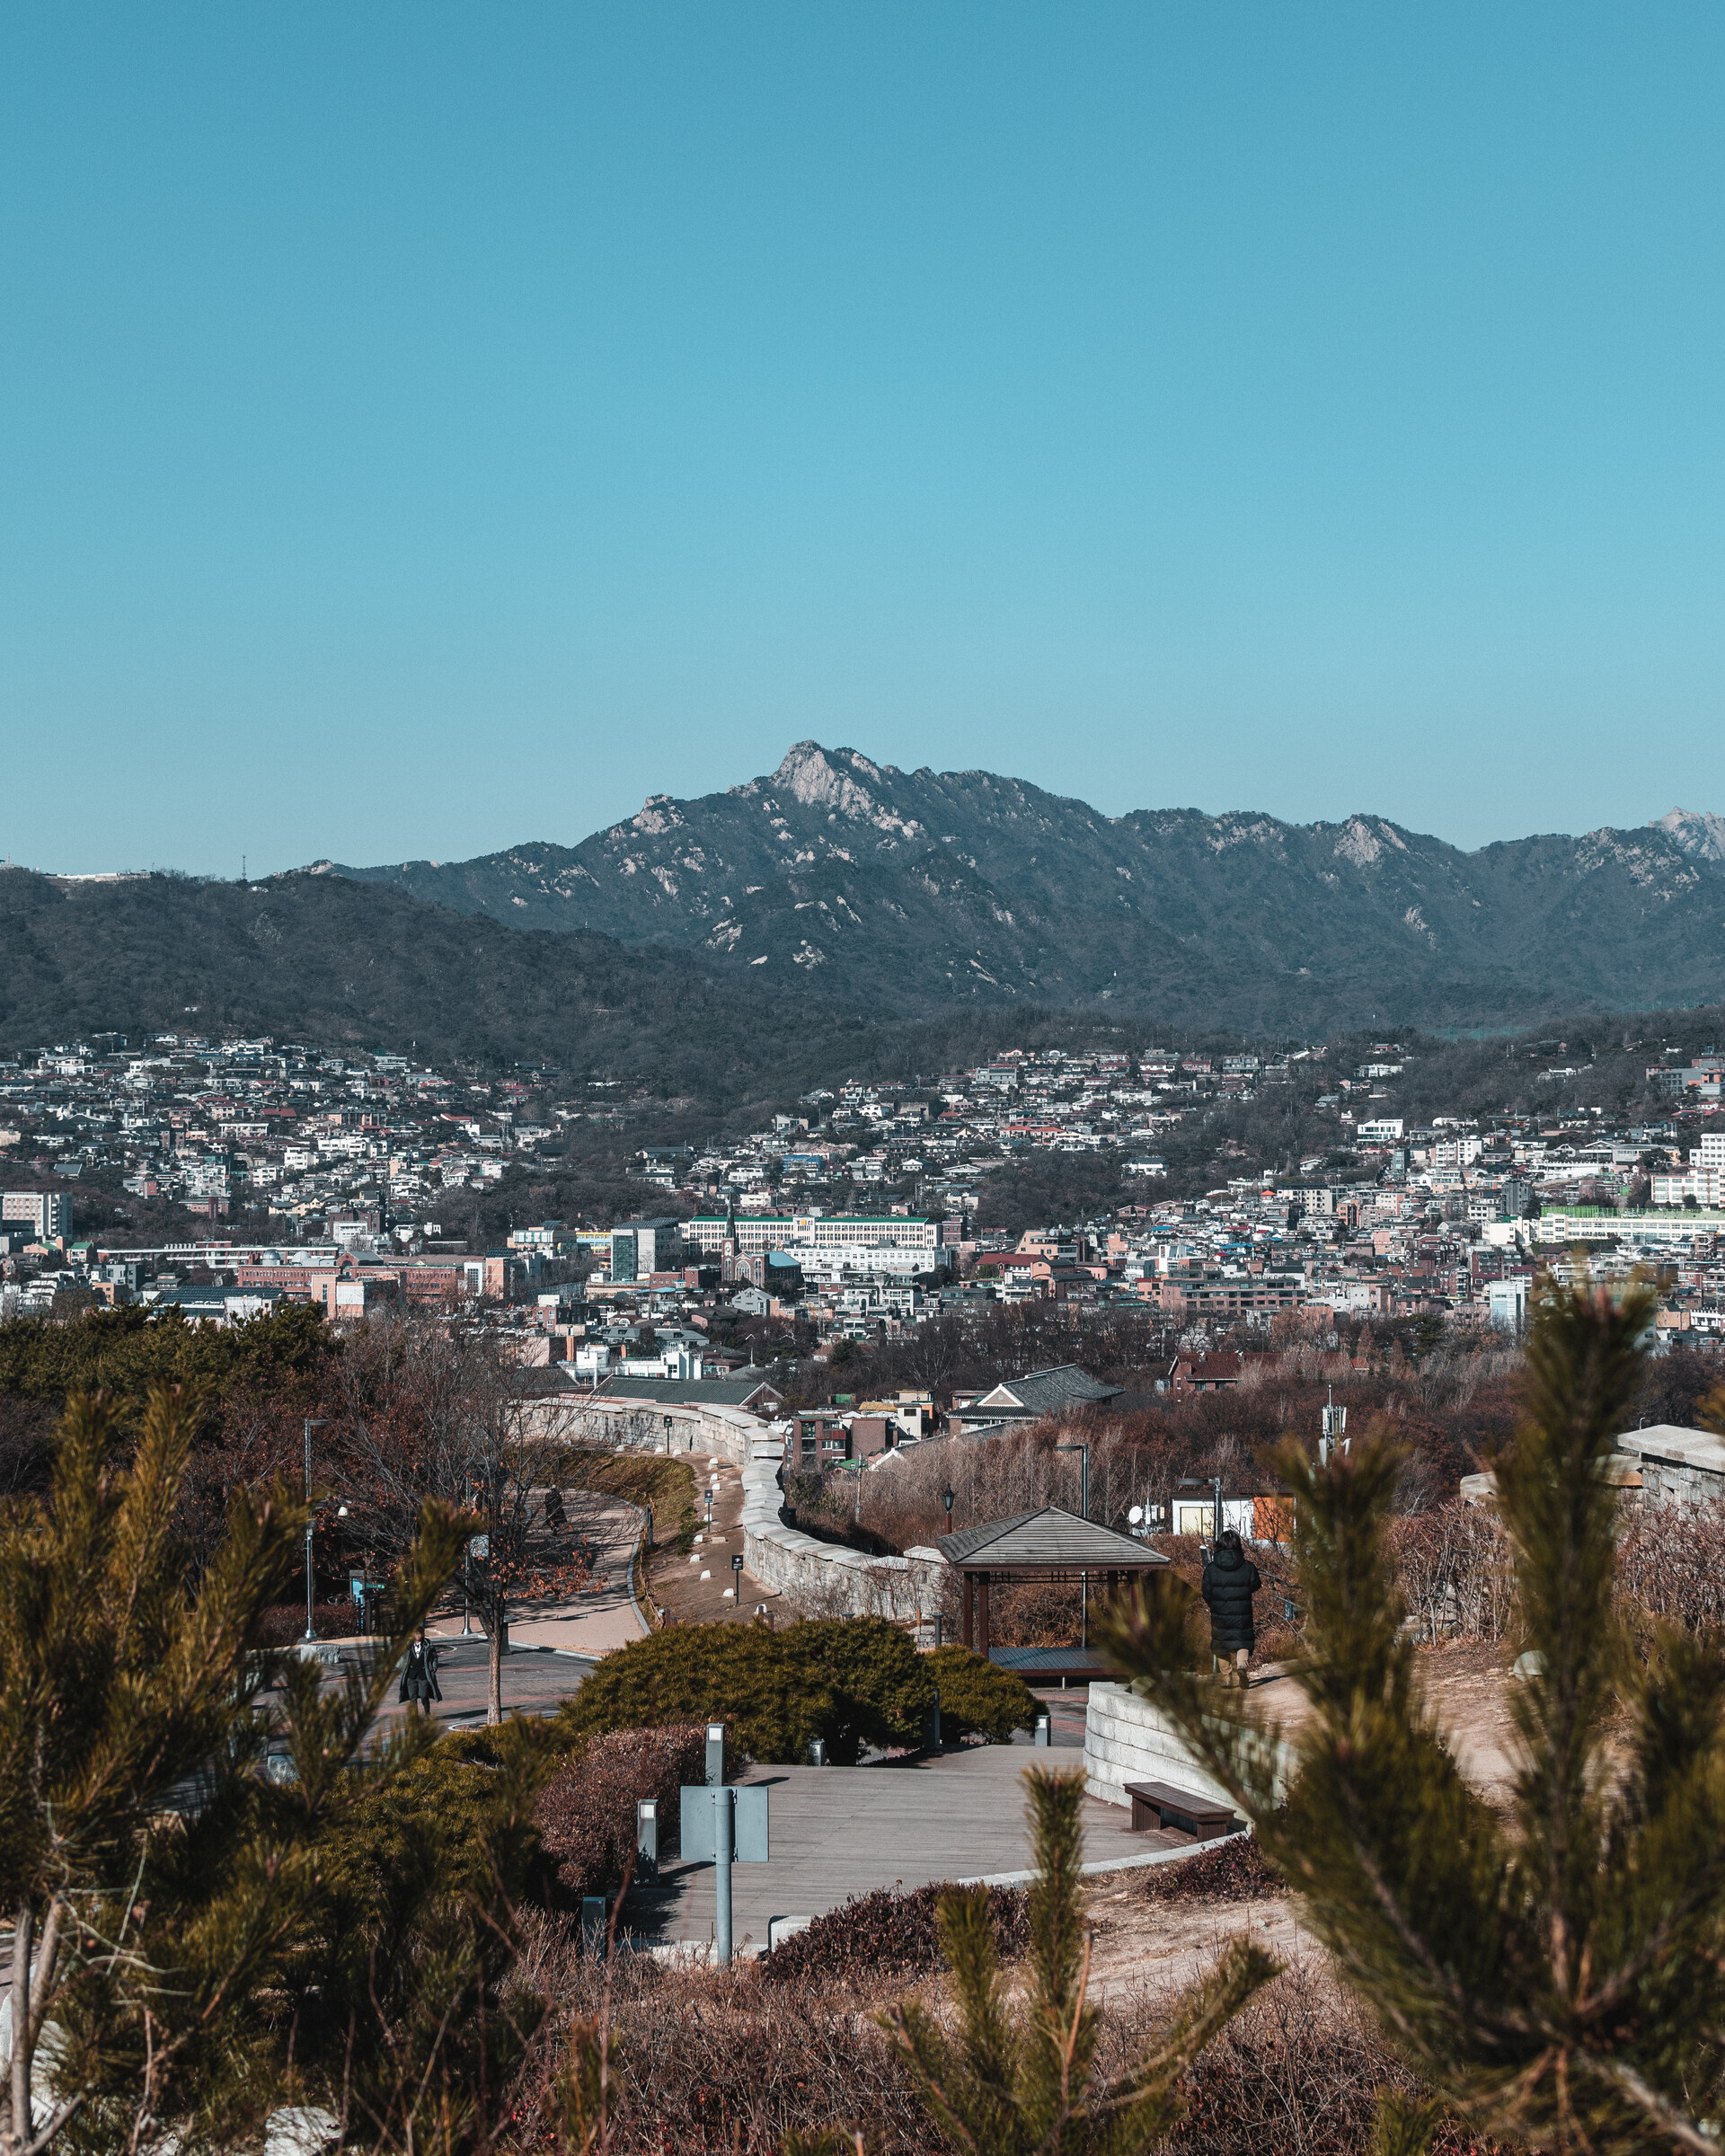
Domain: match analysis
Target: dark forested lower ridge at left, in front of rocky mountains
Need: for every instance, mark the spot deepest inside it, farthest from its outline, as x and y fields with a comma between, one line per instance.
x=335, y=963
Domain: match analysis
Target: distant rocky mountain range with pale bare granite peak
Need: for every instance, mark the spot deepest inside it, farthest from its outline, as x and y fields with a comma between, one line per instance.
x=851, y=883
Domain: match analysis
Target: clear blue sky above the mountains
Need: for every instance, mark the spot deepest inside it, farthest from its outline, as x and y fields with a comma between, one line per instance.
x=430, y=426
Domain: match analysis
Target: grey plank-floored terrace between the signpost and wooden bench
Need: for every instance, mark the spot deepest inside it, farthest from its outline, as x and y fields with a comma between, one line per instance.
x=844, y=1832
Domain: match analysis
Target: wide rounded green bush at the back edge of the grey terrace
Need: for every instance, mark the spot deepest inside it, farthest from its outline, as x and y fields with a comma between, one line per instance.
x=853, y=1683
